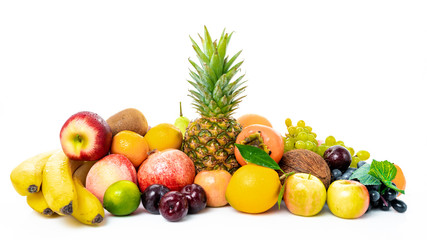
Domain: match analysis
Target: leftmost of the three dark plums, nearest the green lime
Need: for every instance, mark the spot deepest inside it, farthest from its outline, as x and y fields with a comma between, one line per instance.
x=151, y=196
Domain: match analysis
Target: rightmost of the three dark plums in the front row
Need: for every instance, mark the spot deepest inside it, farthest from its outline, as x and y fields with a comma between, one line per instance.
x=196, y=197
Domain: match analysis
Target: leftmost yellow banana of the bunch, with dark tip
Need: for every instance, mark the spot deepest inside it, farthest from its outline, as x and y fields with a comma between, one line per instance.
x=27, y=177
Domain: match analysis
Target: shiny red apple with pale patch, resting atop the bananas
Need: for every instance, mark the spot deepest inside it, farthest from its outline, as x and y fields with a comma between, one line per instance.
x=86, y=136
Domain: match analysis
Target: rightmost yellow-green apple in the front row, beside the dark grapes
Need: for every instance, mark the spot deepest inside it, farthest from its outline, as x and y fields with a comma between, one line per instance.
x=348, y=199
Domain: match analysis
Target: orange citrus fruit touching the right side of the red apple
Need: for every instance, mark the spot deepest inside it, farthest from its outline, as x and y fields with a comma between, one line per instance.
x=132, y=145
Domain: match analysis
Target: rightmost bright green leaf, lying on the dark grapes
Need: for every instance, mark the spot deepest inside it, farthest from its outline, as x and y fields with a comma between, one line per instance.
x=385, y=171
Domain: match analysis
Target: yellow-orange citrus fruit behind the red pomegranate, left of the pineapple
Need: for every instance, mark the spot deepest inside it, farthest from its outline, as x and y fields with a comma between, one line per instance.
x=164, y=136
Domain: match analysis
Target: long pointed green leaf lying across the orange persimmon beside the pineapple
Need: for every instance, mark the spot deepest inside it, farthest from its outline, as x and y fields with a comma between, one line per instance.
x=257, y=156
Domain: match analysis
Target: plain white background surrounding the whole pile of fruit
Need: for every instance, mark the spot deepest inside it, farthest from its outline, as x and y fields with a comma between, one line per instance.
x=352, y=69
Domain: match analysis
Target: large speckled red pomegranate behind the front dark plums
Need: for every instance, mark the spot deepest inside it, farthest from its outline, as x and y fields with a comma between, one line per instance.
x=171, y=168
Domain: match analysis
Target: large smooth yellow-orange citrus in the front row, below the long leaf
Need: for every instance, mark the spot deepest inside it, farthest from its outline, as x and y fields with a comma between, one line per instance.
x=253, y=189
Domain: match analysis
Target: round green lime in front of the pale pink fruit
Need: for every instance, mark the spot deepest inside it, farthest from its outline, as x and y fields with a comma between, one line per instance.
x=122, y=198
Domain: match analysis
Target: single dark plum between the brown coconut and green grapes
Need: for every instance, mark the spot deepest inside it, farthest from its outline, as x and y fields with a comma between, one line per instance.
x=337, y=157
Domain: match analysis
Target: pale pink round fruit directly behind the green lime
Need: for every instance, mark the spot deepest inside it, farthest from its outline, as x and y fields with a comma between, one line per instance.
x=108, y=170
